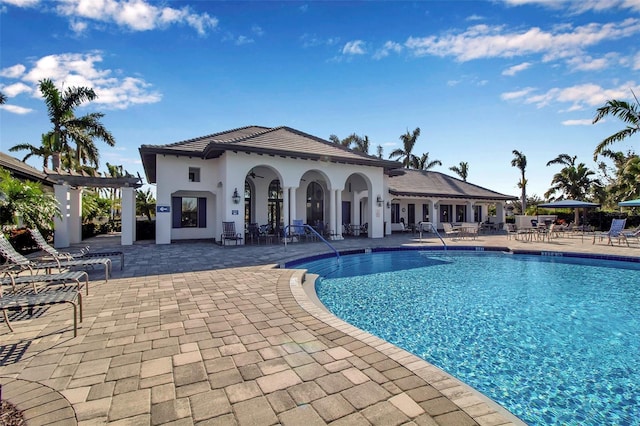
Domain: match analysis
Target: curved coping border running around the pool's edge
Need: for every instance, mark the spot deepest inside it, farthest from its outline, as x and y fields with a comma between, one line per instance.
x=461, y=394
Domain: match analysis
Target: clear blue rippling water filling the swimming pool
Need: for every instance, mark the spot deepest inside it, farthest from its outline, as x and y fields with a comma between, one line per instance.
x=555, y=340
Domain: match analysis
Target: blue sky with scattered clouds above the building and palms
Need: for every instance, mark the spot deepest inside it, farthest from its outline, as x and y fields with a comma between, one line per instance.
x=480, y=78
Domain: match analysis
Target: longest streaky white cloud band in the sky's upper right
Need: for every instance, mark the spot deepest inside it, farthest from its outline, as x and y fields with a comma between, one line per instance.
x=483, y=41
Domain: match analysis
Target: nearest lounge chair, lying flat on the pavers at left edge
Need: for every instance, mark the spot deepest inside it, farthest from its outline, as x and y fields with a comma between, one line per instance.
x=27, y=298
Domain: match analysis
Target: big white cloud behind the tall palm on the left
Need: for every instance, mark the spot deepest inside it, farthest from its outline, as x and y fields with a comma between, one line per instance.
x=82, y=70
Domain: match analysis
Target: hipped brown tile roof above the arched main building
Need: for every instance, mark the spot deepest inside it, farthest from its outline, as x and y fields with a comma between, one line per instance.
x=275, y=141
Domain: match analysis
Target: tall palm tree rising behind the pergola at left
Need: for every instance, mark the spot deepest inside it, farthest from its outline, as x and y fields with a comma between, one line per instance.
x=67, y=128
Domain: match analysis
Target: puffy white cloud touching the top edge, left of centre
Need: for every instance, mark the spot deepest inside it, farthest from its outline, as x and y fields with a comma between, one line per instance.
x=134, y=15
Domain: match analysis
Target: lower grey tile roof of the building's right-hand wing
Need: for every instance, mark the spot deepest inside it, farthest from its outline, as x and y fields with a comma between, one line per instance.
x=408, y=182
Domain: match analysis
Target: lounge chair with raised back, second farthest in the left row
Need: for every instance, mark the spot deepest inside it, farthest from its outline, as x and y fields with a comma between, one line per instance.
x=23, y=264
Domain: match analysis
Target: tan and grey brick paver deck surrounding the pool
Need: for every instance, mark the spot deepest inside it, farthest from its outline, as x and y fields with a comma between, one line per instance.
x=196, y=333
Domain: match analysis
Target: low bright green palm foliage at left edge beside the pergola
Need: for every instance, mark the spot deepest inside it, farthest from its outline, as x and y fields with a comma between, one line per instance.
x=26, y=202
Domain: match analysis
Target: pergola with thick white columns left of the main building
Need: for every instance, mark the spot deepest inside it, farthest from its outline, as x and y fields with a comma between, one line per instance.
x=68, y=191
